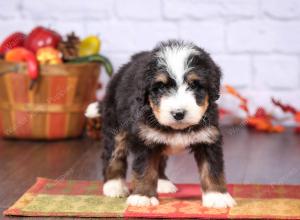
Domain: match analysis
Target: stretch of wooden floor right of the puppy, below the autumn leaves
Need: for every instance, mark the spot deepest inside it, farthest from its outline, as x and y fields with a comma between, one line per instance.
x=254, y=157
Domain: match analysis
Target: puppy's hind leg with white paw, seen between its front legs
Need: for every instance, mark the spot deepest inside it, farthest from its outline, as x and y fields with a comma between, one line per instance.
x=164, y=185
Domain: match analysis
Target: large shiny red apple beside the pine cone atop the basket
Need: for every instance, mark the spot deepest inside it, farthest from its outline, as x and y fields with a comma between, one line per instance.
x=42, y=37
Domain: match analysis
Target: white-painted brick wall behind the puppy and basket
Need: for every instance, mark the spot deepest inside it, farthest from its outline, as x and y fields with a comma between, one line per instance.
x=256, y=42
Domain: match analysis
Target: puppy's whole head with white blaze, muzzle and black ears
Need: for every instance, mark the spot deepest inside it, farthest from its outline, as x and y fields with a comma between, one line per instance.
x=184, y=81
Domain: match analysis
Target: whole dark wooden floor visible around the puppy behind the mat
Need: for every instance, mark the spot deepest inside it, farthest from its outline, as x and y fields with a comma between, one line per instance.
x=250, y=157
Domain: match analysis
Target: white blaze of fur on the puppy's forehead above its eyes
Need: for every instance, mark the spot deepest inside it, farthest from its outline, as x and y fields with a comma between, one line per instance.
x=175, y=58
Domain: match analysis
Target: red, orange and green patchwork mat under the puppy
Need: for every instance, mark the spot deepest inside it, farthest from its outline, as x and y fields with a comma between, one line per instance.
x=84, y=199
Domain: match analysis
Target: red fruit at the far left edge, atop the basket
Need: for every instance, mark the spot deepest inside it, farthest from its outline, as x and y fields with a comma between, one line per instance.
x=12, y=41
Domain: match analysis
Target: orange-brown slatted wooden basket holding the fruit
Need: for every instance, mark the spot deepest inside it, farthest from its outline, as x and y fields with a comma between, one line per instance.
x=54, y=108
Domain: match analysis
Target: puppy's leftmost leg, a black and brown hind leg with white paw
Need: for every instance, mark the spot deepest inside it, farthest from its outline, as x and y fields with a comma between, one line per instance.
x=115, y=165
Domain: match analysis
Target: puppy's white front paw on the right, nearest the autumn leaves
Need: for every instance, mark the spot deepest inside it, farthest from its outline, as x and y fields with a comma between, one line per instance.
x=217, y=200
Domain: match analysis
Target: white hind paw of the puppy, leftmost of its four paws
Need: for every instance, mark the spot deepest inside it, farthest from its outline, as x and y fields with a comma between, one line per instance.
x=115, y=188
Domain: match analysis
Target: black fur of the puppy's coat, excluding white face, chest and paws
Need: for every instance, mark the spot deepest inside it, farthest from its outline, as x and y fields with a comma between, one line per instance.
x=126, y=105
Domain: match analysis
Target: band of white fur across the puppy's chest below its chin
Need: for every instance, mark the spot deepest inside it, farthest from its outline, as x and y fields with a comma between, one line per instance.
x=177, y=142
